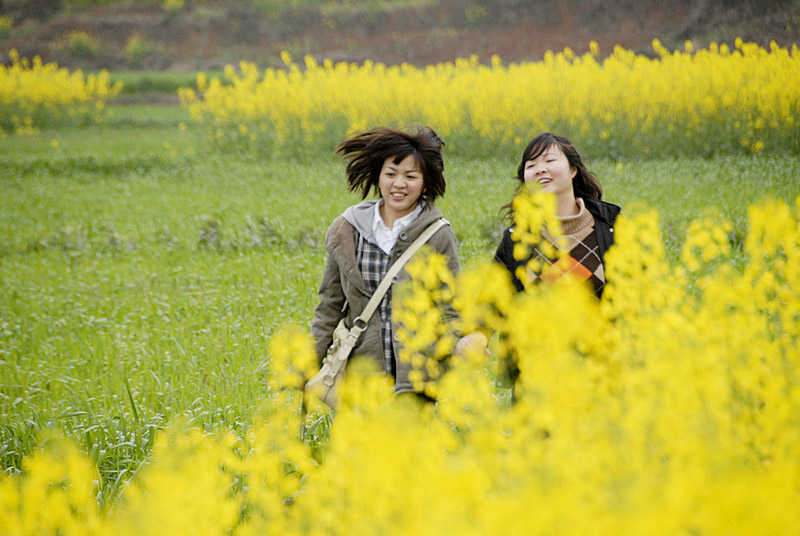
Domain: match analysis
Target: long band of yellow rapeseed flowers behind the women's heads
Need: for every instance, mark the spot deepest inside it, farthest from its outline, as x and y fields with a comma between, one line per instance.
x=682, y=102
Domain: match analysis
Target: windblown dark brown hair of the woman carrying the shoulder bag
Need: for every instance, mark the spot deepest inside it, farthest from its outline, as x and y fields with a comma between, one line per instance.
x=367, y=152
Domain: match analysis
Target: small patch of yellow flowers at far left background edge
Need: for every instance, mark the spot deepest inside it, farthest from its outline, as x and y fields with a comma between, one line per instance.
x=34, y=94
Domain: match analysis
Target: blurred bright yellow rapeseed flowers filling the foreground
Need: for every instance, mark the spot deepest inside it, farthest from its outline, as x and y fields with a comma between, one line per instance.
x=656, y=410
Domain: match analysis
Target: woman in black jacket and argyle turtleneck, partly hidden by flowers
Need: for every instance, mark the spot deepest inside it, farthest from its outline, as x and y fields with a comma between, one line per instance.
x=570, y=245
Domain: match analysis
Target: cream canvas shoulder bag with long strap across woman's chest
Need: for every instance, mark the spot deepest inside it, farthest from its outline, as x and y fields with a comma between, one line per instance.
x=324, y=384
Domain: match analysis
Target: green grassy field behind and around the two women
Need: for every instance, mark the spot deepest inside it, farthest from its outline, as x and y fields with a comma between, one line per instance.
x=142, y=274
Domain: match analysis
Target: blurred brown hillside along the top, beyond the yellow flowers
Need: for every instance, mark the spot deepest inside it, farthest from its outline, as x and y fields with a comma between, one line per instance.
x=185, y=35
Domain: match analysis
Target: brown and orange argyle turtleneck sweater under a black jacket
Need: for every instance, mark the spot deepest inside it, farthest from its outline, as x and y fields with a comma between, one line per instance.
x=583, y=258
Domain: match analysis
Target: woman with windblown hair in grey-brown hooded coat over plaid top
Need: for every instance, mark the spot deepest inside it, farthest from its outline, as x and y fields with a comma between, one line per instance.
x=368, y=238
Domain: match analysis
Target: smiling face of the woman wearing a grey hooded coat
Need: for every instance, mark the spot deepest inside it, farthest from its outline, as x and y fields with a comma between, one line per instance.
x=401, y=186
